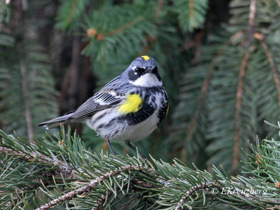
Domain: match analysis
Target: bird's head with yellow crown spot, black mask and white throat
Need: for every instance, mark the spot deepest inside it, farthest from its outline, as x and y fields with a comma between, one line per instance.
x=143, y=72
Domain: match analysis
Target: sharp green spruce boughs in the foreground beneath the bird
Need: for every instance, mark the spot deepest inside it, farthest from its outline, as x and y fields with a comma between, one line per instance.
x=60, y=172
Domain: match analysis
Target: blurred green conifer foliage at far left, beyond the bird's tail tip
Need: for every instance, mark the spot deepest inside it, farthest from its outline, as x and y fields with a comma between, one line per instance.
x=27, y=94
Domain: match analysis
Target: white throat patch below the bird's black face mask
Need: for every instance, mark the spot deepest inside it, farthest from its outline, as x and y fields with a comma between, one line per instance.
x=147, y=80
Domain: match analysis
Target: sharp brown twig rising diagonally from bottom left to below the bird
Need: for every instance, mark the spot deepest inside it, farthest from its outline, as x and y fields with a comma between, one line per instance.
x=89, y=186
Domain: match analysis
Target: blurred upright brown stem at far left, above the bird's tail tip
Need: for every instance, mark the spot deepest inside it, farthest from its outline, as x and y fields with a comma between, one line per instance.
x=25, y=93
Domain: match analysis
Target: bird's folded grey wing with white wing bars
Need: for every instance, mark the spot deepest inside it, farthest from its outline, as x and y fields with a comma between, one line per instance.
x=107, y=97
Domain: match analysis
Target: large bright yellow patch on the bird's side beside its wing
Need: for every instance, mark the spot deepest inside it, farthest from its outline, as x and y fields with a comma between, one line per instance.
x=131, y=104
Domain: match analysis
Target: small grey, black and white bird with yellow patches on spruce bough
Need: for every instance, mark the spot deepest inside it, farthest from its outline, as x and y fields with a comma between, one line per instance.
x=128, y=108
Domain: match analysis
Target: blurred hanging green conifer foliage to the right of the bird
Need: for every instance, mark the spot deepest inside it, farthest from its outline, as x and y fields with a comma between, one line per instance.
x=229, y=93
